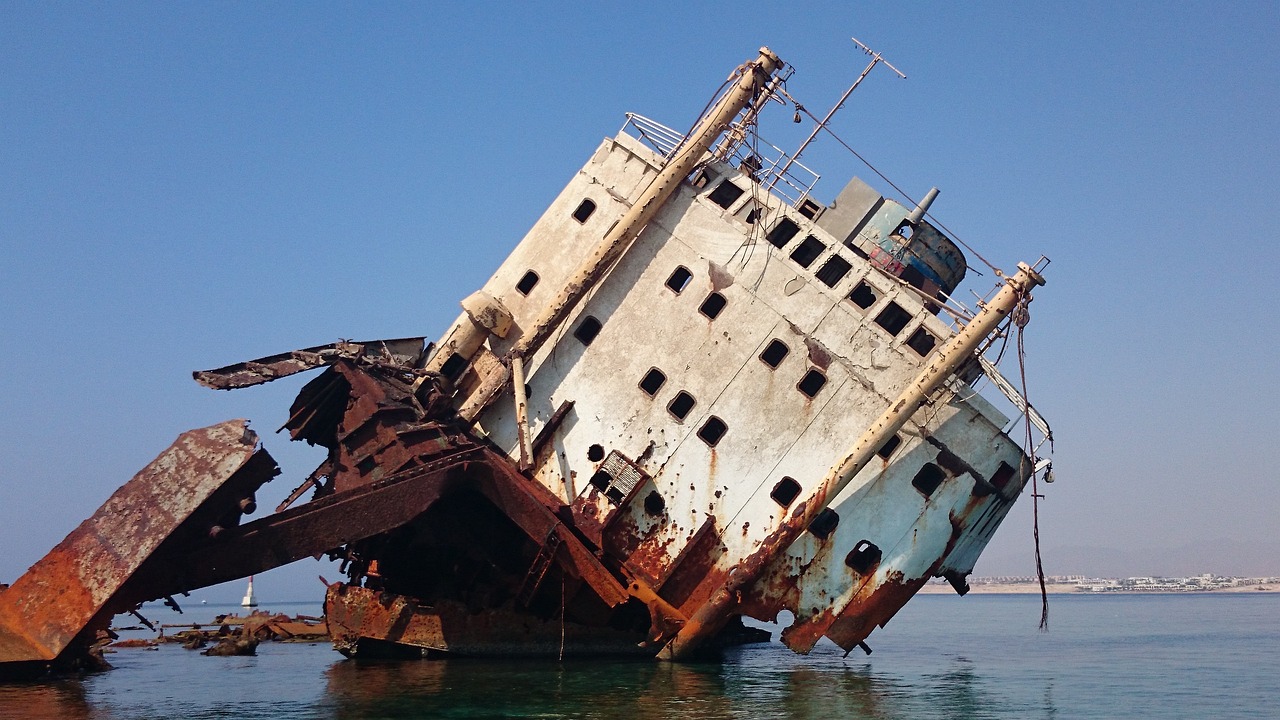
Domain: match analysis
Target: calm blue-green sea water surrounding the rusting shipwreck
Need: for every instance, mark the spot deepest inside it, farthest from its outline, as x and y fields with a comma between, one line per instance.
x=944, y=657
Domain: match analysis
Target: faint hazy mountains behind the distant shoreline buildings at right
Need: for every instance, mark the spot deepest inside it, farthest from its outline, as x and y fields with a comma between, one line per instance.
x=1232, y=558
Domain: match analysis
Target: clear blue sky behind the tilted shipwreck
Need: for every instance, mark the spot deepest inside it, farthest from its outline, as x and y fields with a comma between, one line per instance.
x=185, y=186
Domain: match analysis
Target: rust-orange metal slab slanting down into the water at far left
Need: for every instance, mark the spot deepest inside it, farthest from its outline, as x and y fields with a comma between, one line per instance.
x=83, y=578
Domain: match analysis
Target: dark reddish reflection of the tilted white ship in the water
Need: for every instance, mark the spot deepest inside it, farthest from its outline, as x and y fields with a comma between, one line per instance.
x=751, y=683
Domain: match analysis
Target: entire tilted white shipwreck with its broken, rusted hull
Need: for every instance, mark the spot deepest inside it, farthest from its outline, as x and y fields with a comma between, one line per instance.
x=692, y=394
